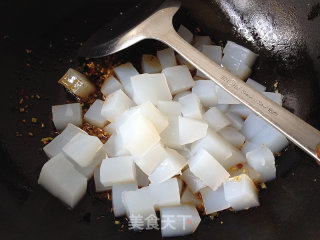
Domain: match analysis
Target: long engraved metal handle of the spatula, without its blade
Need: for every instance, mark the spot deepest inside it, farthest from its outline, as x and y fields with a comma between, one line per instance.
x=295, y=129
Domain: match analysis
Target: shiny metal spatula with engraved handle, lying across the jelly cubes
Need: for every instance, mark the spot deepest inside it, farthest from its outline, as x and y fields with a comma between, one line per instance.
x=159, y=26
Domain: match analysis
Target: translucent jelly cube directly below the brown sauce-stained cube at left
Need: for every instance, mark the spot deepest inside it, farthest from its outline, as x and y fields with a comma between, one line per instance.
x=67, y=113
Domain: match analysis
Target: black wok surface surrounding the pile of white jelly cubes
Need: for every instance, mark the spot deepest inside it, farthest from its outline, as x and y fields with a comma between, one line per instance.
x=286, y=34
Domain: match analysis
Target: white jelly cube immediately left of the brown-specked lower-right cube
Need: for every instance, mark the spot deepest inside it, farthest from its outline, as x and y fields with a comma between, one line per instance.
x=214, y=200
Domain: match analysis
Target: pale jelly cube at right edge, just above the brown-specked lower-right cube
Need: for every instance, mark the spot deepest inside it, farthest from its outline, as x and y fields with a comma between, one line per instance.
x=262, y=160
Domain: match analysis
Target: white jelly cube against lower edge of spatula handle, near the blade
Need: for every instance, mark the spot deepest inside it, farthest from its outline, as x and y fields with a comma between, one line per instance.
x=179, y=78
